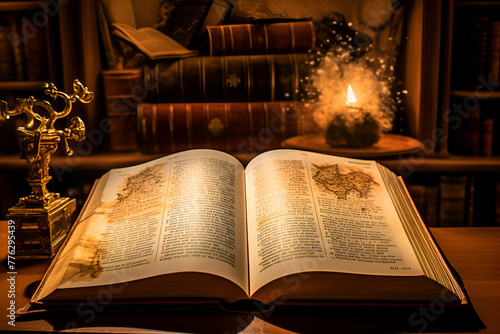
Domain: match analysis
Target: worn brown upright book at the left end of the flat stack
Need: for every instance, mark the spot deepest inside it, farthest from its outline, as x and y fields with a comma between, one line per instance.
x=121, y=107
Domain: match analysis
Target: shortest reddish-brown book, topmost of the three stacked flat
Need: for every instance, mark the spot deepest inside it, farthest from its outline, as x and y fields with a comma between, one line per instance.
x=253, y=39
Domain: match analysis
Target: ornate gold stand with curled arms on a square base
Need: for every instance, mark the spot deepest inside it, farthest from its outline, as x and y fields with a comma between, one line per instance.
x=43, y=219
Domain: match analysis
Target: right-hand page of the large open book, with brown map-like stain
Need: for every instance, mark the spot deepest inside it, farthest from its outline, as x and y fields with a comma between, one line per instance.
x=314, y=212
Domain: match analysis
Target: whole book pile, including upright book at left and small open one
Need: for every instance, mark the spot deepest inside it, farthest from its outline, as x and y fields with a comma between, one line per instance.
x=242, y=92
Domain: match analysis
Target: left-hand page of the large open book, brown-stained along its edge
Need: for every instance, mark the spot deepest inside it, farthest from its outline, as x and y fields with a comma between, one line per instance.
x=181, y=213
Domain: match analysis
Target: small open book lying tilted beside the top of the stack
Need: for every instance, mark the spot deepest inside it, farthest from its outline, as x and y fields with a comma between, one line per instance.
x=154, y=43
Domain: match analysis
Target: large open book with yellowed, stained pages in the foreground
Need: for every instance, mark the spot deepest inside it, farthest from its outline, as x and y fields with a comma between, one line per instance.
x=292, y=226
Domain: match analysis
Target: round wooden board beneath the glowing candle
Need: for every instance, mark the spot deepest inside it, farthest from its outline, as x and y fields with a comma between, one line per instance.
x=388, y=145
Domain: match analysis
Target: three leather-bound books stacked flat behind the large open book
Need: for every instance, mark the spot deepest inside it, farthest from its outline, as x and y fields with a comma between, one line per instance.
x=242, y=97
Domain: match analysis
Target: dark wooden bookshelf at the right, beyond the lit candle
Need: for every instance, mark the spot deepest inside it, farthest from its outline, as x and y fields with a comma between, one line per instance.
x=458, y=46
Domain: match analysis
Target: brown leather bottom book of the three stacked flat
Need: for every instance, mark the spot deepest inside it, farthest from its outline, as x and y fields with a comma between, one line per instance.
x=242, y=127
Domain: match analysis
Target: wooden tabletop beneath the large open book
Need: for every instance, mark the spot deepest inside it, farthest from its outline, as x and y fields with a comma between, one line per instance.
x=473, y=252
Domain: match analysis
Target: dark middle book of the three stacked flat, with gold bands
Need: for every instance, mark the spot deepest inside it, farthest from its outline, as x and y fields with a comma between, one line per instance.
x=255, y=78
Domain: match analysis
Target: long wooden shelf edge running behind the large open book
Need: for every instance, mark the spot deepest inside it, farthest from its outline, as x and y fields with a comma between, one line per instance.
x=104, y=162
